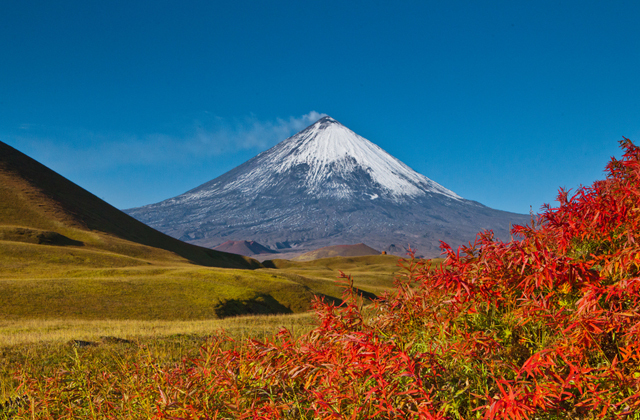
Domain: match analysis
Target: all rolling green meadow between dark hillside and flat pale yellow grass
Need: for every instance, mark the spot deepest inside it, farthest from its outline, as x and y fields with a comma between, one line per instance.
x=74, y=283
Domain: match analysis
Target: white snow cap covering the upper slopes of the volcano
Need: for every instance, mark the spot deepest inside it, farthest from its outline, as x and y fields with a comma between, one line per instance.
x=330, y=153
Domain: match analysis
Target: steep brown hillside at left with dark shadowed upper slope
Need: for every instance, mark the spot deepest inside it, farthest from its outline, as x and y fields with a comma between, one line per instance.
x=39, y=206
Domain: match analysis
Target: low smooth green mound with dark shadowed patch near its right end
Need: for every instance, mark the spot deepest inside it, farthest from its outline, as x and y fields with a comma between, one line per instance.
x=176, y=294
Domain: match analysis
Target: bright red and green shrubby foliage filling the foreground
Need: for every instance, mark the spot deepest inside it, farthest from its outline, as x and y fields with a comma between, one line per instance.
x=545, y=326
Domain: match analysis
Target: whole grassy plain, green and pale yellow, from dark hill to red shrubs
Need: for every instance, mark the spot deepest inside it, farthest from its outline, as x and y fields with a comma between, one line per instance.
x=159, y=310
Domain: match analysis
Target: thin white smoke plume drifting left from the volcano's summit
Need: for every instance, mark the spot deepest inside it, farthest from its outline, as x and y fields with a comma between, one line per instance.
x=75, y=150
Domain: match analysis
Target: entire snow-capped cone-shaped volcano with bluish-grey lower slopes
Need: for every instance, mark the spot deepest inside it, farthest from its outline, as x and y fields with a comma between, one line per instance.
x=324, y=186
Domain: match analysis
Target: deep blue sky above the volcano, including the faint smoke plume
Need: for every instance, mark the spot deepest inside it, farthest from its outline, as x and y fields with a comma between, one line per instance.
x=500, y=101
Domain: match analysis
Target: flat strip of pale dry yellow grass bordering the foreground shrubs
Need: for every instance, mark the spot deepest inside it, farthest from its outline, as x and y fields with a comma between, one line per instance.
x=43, y=346
